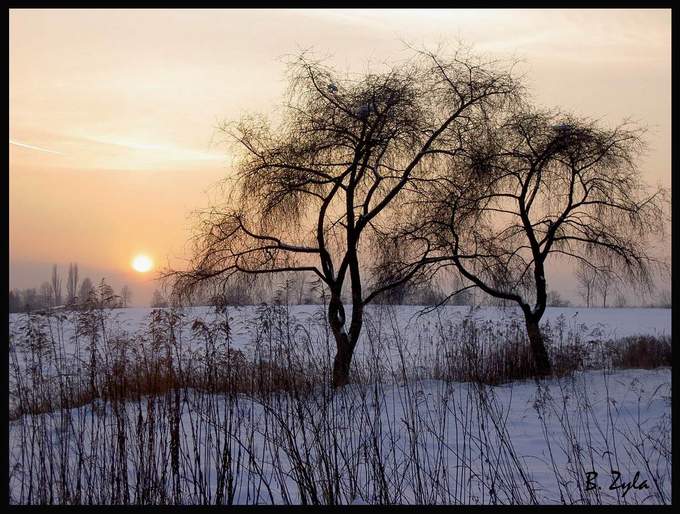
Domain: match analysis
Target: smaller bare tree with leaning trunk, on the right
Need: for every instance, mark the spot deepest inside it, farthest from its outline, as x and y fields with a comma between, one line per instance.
x=533, y=184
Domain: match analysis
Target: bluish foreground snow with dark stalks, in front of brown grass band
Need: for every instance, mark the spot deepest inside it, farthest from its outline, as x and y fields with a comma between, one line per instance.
x=425, y=429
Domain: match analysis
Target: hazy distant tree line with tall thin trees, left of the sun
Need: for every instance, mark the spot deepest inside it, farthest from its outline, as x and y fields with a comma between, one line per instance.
x=79, y=294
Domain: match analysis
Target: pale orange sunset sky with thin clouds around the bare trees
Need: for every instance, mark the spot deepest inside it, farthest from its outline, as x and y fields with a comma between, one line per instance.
x=113, y=113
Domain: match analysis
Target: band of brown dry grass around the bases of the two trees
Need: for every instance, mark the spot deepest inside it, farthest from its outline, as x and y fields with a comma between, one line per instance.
x=132, y=368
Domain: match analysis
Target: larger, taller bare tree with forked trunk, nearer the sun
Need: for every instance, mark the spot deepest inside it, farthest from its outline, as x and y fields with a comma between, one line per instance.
x=311, y=193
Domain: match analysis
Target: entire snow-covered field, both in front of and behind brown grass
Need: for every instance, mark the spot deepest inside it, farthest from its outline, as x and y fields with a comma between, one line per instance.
x=408, y=440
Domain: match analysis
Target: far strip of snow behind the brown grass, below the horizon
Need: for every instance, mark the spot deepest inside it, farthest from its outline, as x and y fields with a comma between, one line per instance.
x=413, y=324
